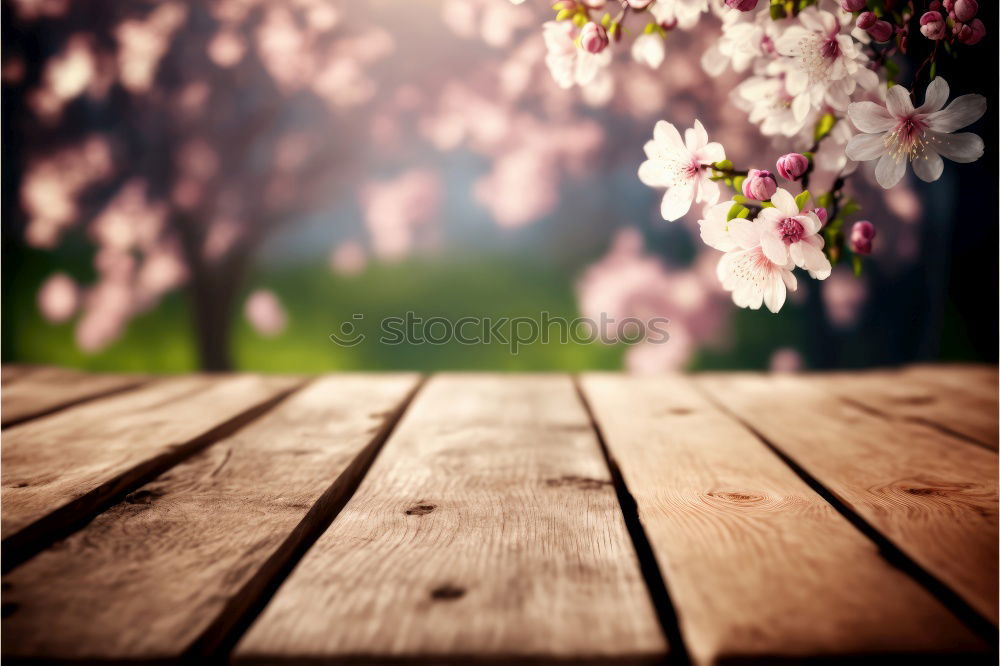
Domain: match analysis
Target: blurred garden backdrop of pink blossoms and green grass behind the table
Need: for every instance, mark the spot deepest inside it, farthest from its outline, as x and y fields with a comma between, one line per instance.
x=429, y=184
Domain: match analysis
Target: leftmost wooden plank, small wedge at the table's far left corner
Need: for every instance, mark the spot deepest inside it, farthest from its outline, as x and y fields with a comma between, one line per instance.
x=41, y=391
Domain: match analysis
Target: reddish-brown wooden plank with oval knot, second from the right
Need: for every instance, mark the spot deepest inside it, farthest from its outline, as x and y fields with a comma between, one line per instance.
x=932, y=496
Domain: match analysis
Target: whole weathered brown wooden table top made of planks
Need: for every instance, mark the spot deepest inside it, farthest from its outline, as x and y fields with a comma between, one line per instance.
x=486, y=517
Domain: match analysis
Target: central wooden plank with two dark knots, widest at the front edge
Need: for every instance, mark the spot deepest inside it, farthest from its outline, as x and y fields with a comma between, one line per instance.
x=488, y=527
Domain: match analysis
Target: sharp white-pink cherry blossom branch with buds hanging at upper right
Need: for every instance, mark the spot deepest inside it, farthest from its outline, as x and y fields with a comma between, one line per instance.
x=821, y=77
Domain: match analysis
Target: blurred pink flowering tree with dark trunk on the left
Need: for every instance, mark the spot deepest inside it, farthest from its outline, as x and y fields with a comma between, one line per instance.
x=177, y=136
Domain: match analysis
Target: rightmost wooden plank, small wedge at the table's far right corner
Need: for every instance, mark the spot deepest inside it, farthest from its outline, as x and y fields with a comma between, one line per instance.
x=940, y=398
